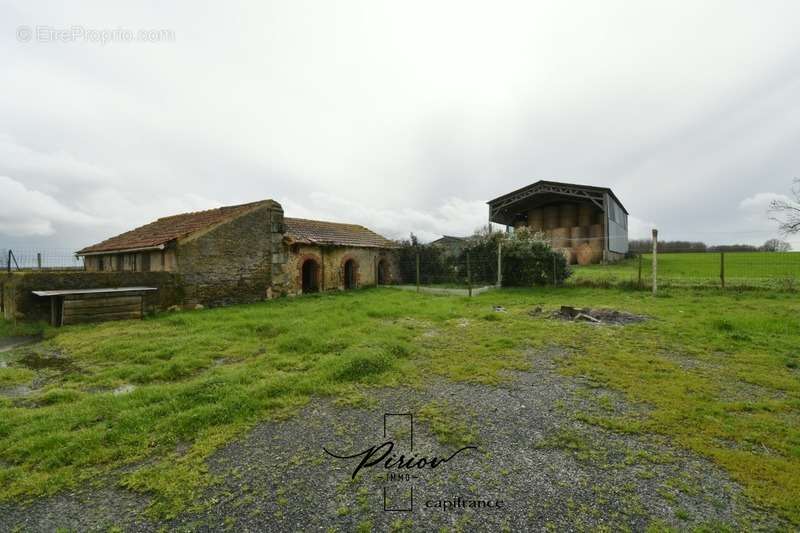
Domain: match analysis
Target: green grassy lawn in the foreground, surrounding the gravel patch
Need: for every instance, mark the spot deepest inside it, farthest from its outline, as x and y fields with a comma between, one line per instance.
x=148, y=401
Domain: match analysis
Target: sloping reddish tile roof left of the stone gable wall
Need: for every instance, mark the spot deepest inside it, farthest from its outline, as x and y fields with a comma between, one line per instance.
x=169, y=228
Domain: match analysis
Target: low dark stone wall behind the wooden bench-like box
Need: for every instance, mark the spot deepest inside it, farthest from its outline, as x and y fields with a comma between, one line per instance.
x=18, y=298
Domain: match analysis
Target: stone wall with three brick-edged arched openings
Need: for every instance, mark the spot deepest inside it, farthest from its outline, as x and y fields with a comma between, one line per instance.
x=332, y=259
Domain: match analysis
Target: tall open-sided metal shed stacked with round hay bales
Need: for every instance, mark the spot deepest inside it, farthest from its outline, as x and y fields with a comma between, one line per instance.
x=588, y=224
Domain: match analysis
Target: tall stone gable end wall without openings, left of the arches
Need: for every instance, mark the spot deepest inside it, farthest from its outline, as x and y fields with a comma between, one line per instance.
x=238, y=261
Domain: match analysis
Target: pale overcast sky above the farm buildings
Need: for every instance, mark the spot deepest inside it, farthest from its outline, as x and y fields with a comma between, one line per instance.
x=402, y=116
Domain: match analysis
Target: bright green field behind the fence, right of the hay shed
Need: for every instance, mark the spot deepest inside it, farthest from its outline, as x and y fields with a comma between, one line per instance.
x=755, y=269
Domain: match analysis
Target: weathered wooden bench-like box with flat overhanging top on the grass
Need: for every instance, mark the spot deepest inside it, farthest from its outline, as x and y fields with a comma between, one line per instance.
x=74, y=306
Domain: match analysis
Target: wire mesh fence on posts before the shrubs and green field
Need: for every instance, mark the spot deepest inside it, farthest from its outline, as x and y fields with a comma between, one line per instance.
x=586, y=263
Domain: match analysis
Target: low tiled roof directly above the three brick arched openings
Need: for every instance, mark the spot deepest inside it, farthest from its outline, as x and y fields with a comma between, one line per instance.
x=333, y=233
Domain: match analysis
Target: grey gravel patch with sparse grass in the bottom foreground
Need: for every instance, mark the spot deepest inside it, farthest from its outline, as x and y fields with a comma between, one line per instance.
x=549, y=470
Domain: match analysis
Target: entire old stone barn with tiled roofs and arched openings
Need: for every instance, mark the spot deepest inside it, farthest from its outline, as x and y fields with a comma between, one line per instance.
x=248, y=252
